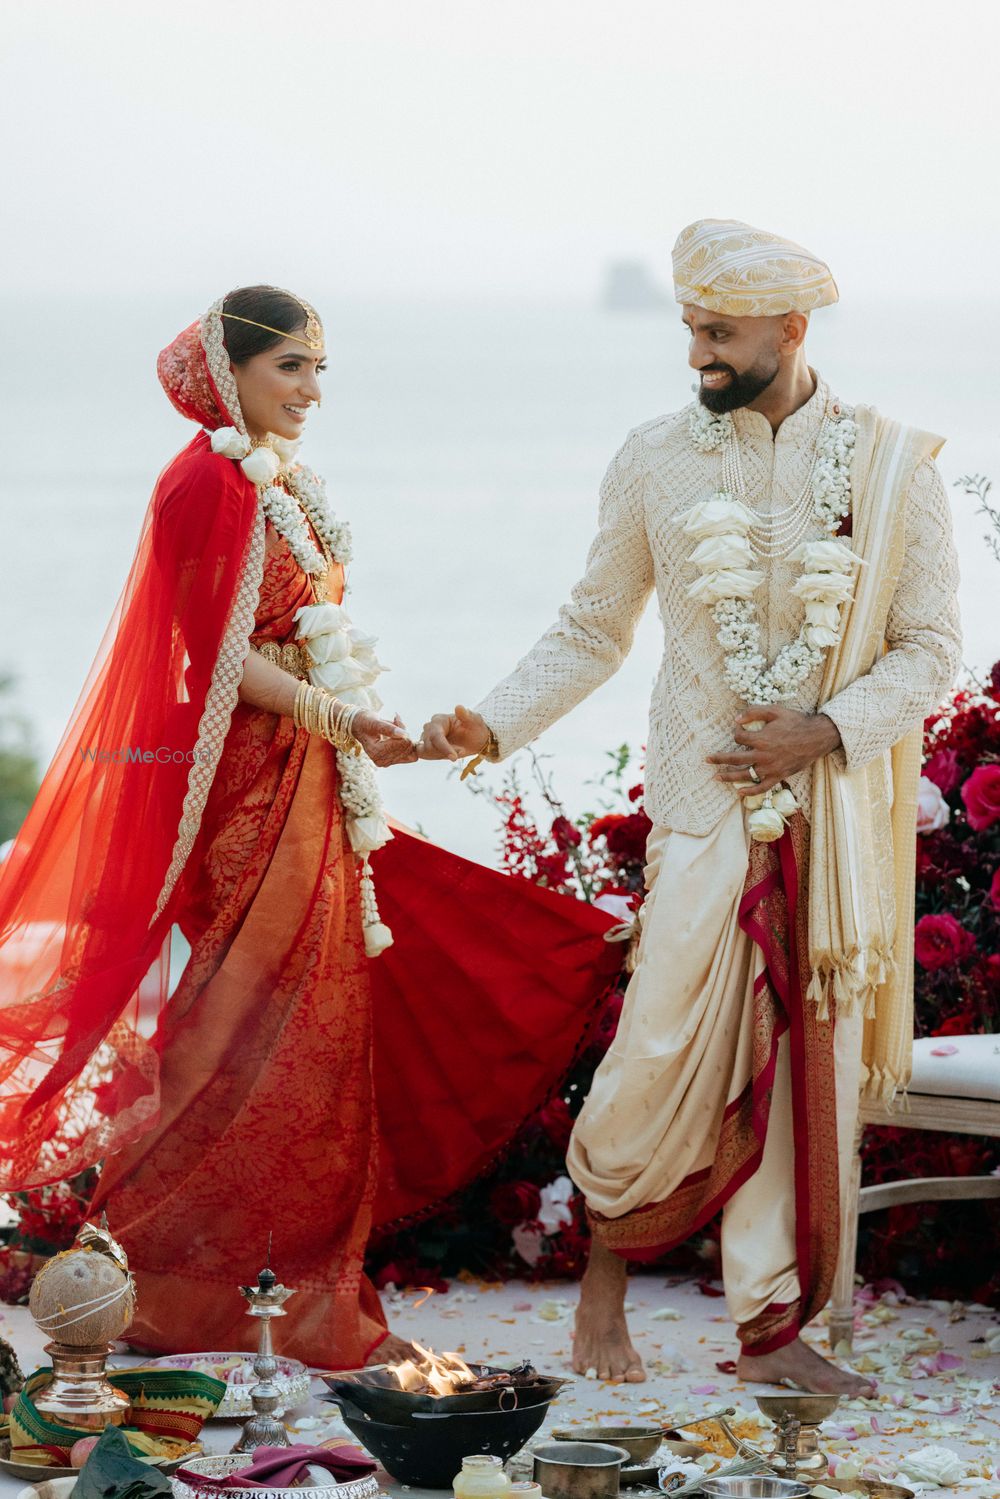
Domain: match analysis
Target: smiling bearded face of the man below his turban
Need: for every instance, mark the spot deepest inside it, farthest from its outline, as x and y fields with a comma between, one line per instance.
x=737, y=359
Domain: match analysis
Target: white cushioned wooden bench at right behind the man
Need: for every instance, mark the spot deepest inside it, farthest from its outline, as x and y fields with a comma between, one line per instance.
x=957, y=1094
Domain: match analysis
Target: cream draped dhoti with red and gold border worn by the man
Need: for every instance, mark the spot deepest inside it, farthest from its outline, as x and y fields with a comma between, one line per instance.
x=722, y=1077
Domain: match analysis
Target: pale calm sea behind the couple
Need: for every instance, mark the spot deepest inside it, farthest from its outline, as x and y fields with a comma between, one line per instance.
x=467, y=444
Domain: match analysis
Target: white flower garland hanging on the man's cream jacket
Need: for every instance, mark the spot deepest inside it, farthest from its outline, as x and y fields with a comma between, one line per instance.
x=728, y=582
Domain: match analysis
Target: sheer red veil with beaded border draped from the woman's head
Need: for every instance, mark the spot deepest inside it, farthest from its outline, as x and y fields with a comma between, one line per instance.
x=89, y=891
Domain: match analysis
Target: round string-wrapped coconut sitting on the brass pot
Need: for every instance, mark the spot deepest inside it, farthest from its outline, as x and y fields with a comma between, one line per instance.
x=83, y=1297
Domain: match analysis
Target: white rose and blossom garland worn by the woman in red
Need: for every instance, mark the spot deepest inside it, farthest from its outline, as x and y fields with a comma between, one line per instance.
x=344, y=657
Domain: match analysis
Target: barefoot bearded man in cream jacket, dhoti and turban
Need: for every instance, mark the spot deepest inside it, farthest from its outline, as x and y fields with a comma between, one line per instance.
x=806, y=578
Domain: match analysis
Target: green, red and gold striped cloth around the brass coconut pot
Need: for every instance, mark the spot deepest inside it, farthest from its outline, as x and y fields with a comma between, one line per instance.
x=169, y=1408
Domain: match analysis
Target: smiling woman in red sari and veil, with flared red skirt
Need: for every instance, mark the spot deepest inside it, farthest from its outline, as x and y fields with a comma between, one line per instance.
x=308, y=1082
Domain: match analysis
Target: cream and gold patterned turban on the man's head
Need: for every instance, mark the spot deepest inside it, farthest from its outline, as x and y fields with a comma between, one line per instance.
x=741, y=272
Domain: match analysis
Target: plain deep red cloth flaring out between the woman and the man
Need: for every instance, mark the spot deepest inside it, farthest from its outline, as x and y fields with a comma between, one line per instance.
x=479, y=1011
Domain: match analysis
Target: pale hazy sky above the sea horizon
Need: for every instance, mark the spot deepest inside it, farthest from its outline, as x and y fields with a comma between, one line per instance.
x=379, y=149
